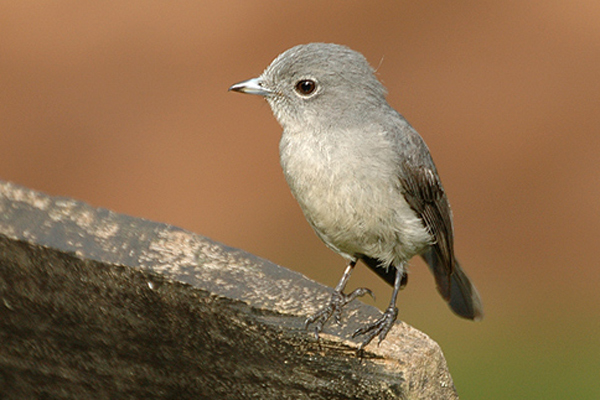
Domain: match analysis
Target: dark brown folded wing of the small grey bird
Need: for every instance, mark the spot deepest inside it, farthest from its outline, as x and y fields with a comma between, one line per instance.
x=424, y=193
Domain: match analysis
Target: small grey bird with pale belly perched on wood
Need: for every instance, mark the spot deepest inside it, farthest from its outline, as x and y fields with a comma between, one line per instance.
x=363, y=177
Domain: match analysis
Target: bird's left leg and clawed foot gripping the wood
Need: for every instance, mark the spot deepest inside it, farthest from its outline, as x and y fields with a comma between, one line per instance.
x=337, y=302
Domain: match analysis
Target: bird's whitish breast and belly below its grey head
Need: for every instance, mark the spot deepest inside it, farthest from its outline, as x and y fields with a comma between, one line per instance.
x=350, y=195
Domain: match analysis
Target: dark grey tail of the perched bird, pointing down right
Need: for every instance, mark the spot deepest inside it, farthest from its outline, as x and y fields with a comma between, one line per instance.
x=461, y=295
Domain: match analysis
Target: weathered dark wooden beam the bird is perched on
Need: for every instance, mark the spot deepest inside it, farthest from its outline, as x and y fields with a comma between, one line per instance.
x=95, y=304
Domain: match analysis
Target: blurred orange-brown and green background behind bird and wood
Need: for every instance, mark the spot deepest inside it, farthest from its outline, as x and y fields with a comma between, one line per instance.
x=124, y=105
